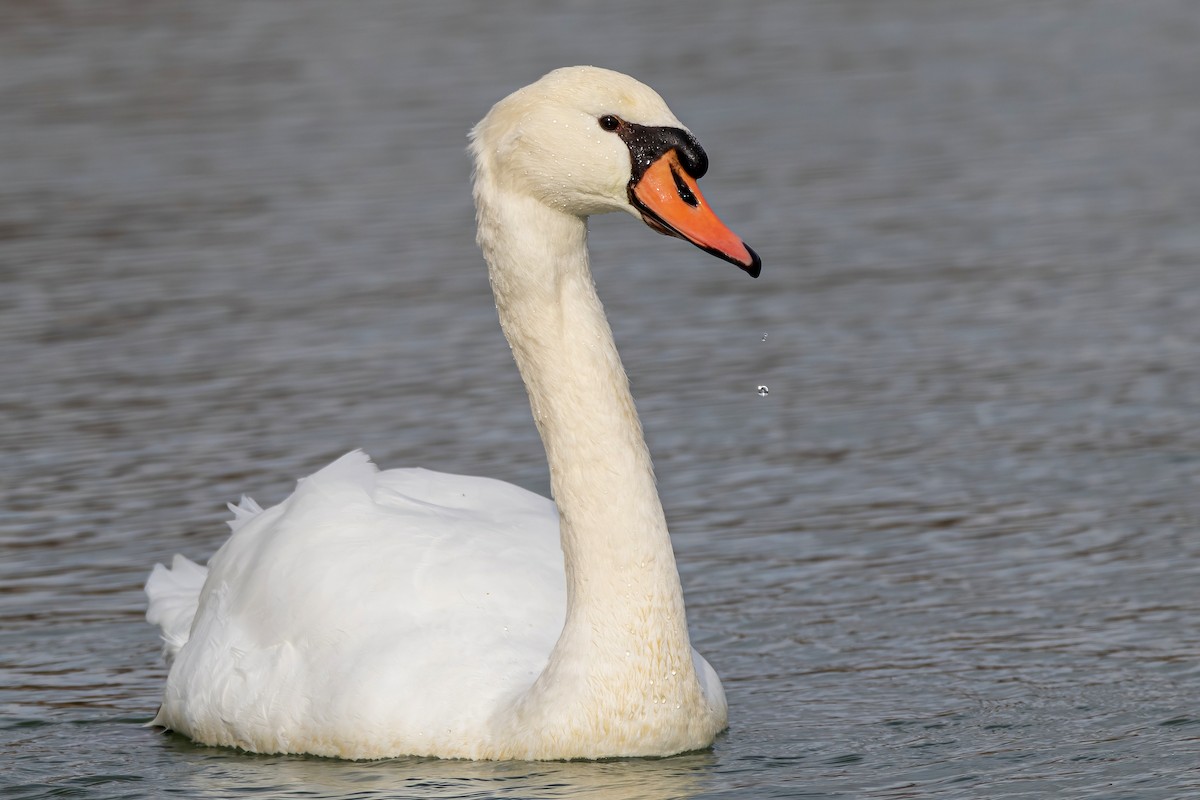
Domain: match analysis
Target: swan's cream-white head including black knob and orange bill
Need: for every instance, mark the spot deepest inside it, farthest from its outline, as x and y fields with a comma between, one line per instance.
x=589, y=141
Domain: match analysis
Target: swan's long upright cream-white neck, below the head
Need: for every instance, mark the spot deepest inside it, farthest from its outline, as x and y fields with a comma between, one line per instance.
x=625, y=646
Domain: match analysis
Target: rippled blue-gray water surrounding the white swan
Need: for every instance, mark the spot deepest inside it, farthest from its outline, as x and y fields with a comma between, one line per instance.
x=953, y=554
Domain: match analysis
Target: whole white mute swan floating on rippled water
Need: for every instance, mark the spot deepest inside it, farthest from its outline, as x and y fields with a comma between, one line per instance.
x=409, y=612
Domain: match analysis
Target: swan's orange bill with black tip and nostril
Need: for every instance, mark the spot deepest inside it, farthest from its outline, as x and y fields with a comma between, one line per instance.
x=671, y=203
